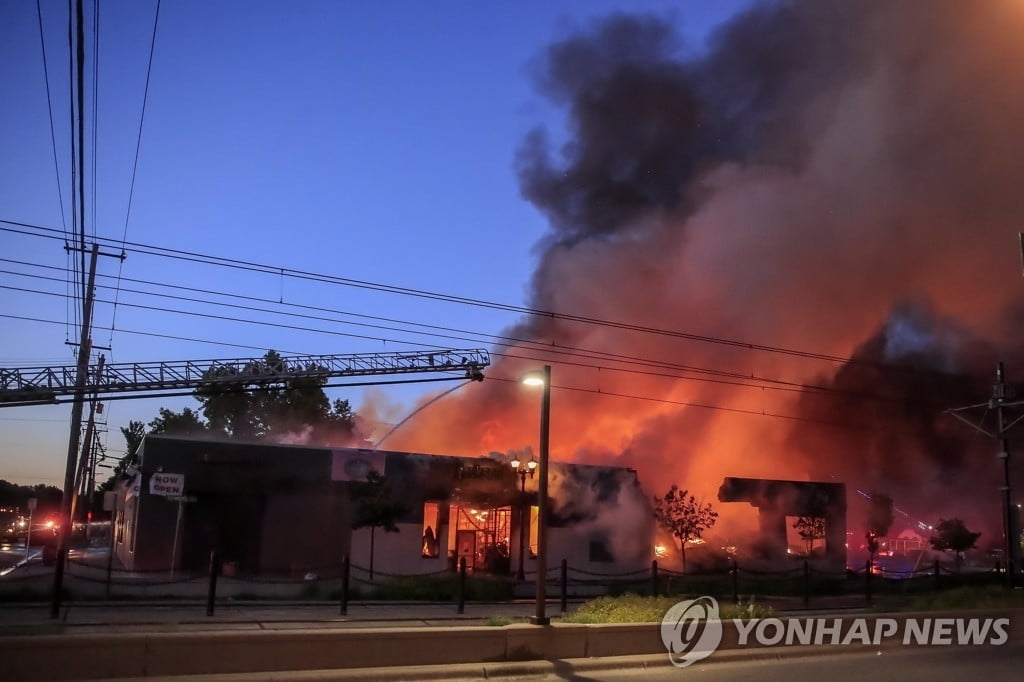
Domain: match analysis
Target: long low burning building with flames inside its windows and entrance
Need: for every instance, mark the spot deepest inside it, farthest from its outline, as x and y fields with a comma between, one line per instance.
x=289, y=509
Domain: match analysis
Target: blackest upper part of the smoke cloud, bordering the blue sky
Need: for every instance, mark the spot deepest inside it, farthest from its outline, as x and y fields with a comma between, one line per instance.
x=646, y=122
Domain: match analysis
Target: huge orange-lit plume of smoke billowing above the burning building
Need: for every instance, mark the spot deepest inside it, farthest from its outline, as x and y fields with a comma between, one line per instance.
x=836, y=177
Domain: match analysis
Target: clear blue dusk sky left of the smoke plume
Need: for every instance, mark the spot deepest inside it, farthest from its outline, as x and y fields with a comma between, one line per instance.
x=373, y=141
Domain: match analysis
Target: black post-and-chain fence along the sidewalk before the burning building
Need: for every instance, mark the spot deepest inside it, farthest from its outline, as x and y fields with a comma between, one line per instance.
x=343, y=582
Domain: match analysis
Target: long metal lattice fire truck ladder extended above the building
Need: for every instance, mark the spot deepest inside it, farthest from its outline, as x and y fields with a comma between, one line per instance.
x=45, y=386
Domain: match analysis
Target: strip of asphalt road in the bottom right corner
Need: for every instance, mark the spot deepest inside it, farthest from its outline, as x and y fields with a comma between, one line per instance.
x=951, y=664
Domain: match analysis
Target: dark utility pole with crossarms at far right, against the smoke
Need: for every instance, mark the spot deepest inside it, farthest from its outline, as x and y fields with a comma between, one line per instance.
x=1003, y=398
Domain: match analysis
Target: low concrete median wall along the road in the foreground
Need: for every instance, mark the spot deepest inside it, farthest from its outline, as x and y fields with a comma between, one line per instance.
x=110, y=656
